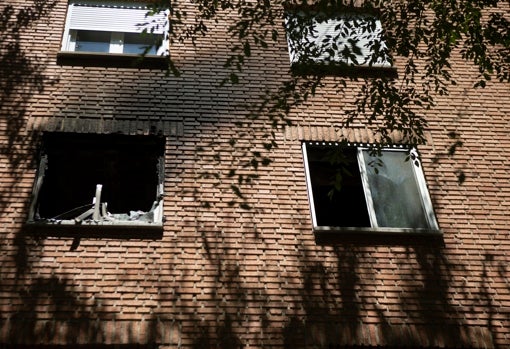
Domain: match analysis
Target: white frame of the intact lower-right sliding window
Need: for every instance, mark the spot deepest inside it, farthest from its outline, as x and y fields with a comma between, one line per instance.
x=420, y=181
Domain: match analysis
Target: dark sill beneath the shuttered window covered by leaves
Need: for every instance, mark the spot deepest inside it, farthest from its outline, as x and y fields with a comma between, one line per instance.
x=339, y=69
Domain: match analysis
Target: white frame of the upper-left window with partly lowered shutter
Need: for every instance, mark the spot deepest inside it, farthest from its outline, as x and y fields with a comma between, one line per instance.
x=116, y=44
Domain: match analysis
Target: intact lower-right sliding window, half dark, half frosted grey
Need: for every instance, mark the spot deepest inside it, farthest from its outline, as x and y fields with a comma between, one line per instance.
x=353, y=188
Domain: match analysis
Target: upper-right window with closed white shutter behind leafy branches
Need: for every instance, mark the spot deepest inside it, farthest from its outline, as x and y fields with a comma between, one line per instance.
x=348, y=39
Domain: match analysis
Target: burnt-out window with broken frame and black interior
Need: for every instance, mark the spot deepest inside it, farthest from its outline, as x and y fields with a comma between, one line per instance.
x=99, y=179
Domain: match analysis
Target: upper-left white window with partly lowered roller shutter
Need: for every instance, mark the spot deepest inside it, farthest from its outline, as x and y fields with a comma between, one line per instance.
x=114, y=27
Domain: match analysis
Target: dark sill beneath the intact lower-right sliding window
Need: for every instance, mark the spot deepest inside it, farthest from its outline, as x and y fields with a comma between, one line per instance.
x=377, y=236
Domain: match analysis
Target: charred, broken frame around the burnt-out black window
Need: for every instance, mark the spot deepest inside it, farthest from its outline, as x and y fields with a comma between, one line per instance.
x=99, y=221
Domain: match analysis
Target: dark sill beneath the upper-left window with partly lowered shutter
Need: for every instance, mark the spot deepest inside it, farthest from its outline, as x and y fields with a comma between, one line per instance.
x=109, y=60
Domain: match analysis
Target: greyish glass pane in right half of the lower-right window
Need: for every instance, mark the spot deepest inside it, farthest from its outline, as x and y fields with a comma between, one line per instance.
x=395, y=193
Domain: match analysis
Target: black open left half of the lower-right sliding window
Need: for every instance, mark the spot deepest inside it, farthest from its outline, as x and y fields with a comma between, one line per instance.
x=337, y=190
